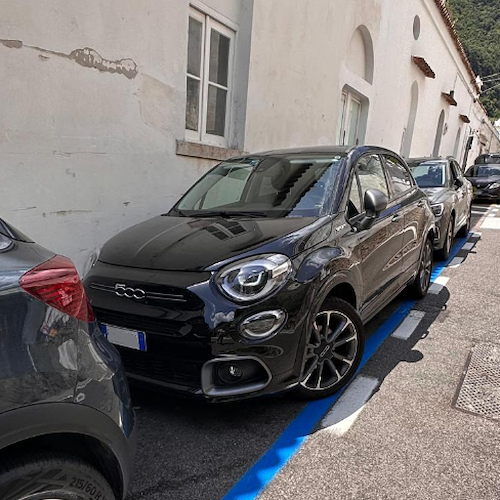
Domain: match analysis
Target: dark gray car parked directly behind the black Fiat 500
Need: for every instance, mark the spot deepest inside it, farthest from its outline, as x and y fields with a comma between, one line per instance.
x=450, y=195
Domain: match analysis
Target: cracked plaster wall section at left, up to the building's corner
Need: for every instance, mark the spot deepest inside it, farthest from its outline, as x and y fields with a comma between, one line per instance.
x=93, y=101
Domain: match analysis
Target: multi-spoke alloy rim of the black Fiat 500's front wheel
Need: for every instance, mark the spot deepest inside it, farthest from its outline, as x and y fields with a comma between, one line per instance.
x=331, y=351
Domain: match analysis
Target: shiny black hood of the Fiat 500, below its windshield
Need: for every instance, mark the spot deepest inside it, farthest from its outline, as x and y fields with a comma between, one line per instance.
x=194, y=244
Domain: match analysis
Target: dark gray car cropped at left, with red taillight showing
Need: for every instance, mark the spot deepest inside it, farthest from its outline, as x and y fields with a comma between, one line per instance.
x=66, y=422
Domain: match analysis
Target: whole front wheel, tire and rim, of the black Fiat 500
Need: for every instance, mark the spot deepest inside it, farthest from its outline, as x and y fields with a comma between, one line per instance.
x=330, y=362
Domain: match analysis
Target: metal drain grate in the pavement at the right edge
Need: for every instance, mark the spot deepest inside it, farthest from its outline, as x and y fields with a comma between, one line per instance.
x=479, y=392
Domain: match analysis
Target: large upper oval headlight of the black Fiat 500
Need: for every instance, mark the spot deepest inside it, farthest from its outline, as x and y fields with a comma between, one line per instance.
x=252, y=279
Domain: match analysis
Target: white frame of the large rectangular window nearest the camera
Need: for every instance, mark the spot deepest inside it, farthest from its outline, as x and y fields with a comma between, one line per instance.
x=209, y=23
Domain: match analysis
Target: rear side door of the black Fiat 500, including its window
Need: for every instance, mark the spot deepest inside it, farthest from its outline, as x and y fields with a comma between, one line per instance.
x=409, y=201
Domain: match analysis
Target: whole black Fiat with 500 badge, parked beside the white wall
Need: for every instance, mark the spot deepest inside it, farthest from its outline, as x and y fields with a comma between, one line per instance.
x=260, y=278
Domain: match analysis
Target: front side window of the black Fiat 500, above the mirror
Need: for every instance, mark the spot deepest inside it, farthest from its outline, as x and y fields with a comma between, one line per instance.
x=369, y=175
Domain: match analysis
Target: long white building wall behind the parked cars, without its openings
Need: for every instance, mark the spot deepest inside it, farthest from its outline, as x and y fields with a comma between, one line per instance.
x=85, y=153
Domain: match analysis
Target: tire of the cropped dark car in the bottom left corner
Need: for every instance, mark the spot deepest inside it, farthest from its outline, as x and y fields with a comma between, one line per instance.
x=50, y=476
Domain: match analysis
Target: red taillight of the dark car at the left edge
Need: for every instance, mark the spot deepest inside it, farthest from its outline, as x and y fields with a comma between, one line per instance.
x=56, y=283
